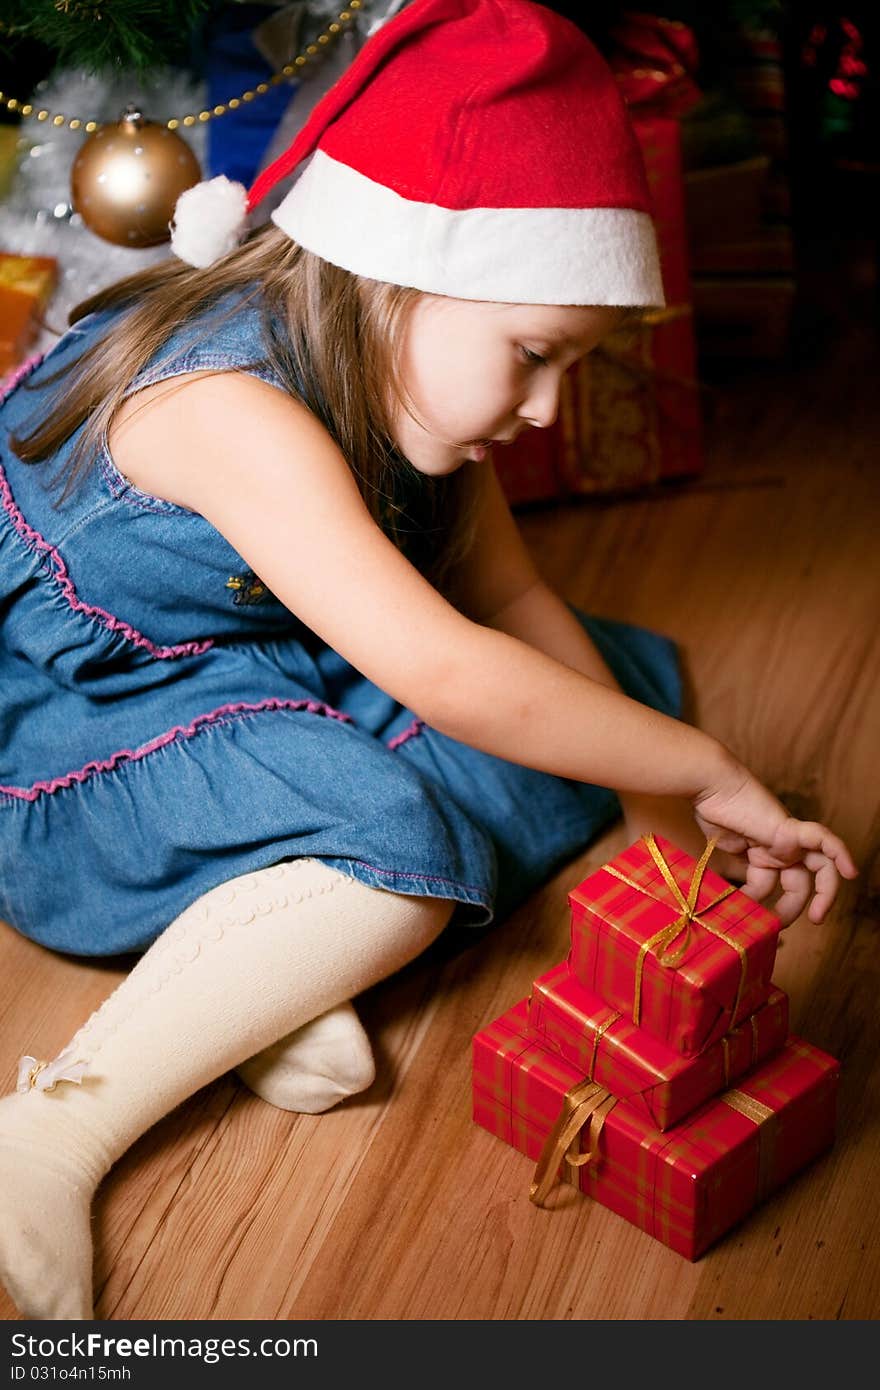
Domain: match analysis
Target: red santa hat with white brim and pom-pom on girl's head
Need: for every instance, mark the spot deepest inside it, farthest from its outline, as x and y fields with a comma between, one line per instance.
x=475, y=148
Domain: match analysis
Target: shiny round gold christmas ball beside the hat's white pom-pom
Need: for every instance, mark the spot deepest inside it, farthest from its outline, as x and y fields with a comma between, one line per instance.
x=129, y=177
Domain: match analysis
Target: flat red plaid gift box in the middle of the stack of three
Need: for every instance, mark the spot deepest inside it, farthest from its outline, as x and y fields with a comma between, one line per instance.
x=653, y=1078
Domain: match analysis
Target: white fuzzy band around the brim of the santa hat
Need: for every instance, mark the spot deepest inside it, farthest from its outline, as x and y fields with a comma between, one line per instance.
x=521, y=255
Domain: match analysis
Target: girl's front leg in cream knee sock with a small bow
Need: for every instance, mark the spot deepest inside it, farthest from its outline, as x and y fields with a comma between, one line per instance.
x=245, y=965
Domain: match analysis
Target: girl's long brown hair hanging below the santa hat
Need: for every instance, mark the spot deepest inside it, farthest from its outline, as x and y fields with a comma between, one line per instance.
x=334, y=340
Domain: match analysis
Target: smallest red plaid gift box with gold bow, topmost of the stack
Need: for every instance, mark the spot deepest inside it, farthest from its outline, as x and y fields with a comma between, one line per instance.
x=693, y=989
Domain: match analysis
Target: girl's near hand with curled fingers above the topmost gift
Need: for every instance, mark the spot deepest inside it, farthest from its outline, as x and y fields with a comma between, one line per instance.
x=800, y=857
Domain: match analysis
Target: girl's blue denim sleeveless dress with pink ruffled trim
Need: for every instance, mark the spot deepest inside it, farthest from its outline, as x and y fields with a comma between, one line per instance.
x=166, y=723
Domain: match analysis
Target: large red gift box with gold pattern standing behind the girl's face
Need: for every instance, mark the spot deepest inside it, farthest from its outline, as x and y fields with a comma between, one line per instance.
x=629, y=414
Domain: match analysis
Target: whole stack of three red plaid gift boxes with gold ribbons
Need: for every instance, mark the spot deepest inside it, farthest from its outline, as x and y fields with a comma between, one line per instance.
x=654, y=1068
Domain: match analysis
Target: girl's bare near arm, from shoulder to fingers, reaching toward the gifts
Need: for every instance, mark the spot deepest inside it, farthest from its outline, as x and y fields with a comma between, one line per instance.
x=266, y=473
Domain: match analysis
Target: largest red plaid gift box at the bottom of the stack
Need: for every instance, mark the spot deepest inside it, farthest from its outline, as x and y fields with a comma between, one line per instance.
x=685, y=1186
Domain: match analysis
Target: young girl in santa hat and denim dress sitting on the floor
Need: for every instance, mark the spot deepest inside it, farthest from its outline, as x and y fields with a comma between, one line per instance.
x=284, y=693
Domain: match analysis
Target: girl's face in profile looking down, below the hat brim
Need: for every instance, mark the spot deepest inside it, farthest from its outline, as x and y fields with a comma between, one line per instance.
x=480, y=373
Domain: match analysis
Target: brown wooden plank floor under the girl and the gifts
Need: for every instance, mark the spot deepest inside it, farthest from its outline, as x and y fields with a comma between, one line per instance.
x=397, y=1207
